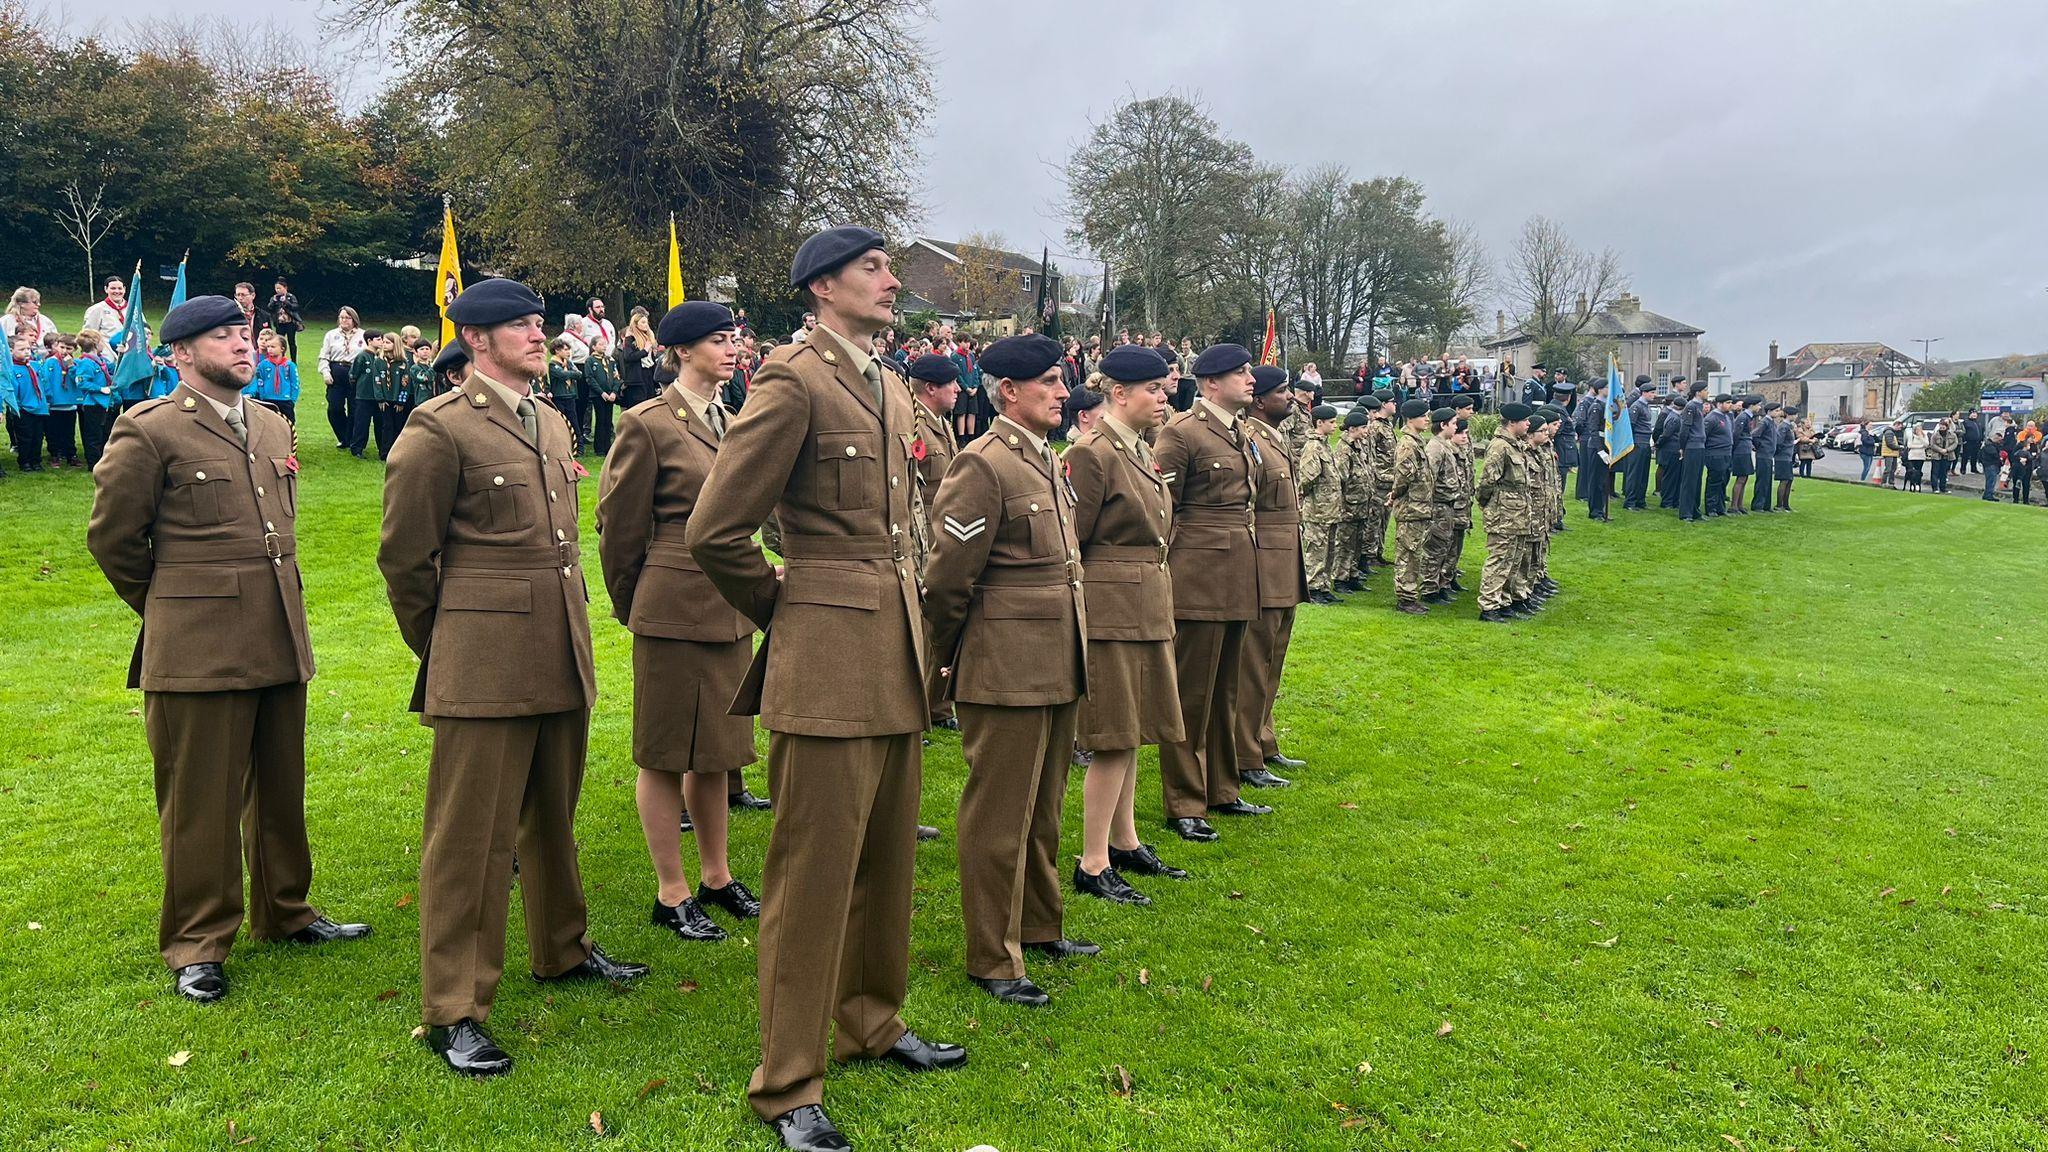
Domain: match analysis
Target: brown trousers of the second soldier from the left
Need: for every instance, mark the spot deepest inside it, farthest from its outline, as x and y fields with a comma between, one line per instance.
x=497, y=784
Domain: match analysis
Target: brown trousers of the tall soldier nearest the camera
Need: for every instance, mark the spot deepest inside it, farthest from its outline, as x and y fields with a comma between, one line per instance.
x=835, y=936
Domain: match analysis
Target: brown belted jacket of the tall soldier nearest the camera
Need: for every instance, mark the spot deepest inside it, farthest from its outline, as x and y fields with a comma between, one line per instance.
x=843, y=647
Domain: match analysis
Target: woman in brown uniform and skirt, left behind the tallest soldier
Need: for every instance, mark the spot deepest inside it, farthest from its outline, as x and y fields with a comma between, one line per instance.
x=689, y=647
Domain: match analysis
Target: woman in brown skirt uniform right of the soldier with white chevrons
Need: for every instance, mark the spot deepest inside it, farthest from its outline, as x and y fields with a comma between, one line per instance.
x=1123, y=518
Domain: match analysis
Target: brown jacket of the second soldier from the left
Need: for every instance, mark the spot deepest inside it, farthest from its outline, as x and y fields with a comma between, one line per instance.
x=482, y=561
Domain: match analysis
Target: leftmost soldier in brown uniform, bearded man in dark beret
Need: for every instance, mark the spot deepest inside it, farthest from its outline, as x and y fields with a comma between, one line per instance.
x=194, y=511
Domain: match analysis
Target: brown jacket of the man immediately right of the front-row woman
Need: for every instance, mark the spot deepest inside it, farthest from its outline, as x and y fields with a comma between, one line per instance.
x=1213, y=557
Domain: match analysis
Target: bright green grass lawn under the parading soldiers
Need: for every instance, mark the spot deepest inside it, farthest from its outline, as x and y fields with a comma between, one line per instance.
x=1736, y=848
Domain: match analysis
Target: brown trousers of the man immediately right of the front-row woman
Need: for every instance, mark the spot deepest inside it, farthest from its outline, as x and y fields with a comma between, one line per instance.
x=1203, y=768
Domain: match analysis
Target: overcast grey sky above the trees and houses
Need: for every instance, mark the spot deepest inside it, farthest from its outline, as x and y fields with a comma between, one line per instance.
x=1766, y=169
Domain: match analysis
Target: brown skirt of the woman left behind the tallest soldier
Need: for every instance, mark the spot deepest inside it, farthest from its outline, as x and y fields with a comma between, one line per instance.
x=681, y=692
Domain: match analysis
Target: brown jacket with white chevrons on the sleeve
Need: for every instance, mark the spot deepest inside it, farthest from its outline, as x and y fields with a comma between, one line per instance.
x=1005, y=585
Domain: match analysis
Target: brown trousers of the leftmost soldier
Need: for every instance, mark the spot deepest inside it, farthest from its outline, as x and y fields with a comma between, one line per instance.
x=230, y=786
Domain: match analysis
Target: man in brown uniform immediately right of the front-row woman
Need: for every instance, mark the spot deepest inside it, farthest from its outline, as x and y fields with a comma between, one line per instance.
x=1207, y=460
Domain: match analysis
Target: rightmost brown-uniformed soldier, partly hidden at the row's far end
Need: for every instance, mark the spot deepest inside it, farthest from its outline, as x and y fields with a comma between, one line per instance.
x=1283, y=583
